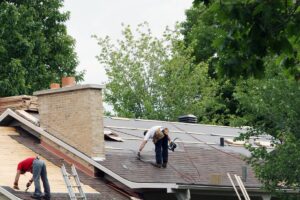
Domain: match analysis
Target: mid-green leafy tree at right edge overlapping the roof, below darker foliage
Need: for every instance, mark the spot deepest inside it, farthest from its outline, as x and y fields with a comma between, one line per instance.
x=272, y=106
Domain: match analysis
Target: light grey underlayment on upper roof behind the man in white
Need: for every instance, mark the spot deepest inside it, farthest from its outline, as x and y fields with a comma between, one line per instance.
x=197, y=135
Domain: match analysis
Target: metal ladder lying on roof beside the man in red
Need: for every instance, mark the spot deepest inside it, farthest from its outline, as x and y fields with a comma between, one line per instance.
x=67, y=178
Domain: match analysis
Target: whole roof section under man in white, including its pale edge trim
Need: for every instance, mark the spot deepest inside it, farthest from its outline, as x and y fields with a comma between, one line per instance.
x=194, y=164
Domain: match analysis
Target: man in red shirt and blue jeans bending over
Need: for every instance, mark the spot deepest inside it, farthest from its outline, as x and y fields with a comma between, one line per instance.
x=38, y=169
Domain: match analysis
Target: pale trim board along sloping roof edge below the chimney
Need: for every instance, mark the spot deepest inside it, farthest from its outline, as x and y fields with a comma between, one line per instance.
x=130, y=184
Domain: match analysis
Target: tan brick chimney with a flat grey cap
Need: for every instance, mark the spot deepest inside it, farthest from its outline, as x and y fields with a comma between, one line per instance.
x=74, y=114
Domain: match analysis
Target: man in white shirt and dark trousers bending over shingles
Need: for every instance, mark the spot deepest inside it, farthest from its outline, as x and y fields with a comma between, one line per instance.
x=160, y=138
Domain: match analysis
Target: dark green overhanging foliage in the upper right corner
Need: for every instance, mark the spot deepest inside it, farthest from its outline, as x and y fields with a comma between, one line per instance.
x=242, y=33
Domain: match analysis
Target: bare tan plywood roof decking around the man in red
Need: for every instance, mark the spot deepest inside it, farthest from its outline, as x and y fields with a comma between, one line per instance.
x=12, y=152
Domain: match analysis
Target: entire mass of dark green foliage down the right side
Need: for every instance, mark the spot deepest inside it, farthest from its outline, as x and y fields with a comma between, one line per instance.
x=257, y=41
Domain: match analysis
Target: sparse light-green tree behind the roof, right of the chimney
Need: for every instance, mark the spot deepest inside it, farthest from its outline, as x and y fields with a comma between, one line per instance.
x=152, y=78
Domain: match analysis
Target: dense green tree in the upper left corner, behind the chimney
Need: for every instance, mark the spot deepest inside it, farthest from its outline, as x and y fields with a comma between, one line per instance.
x=34, y=46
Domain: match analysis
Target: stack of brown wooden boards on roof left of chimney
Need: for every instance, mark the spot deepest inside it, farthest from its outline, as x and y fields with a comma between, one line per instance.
x=23, y=102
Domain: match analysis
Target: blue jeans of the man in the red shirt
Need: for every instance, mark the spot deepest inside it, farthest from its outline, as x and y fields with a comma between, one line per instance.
x=39, y=171
